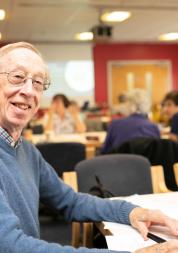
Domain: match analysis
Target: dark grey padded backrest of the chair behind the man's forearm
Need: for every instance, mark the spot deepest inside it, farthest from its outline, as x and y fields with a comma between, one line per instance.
x=122, y=175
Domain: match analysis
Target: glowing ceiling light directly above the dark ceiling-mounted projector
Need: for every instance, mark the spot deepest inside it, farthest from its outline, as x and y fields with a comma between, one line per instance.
x=115, y=16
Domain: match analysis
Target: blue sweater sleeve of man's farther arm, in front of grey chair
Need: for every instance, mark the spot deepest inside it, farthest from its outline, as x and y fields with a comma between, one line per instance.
x=80, y=206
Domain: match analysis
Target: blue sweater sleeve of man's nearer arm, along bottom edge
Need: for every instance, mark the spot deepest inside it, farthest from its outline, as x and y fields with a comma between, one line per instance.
x=14, y=240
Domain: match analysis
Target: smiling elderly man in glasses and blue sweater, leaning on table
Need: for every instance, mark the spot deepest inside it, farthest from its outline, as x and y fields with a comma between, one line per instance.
x=25, y=175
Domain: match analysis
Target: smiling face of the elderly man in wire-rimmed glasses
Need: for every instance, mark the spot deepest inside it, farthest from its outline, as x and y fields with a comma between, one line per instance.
x=18, y=104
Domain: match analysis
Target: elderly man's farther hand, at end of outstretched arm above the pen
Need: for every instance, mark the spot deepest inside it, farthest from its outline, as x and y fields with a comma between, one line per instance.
x=142, y=219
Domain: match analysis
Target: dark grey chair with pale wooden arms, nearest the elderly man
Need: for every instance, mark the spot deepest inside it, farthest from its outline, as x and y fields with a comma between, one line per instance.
x=120, y=174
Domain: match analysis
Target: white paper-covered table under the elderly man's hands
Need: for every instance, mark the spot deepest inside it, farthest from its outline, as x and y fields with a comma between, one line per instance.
x=123, y=237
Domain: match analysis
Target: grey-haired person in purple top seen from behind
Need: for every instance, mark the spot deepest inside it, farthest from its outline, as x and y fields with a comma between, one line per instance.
x=135, y=125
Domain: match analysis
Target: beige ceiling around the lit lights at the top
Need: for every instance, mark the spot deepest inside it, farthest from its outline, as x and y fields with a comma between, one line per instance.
x=57, y=21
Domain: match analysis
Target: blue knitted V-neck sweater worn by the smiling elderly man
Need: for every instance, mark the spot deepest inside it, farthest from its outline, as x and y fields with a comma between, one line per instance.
x=24, y=177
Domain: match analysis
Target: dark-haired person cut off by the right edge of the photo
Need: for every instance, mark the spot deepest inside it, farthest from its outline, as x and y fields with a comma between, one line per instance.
x=170, y=108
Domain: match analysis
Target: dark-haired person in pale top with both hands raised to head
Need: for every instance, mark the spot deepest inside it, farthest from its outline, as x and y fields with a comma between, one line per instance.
x=63, y=118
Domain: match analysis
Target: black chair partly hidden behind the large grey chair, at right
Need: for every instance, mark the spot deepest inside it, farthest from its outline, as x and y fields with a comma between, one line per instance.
x=158, y=151
